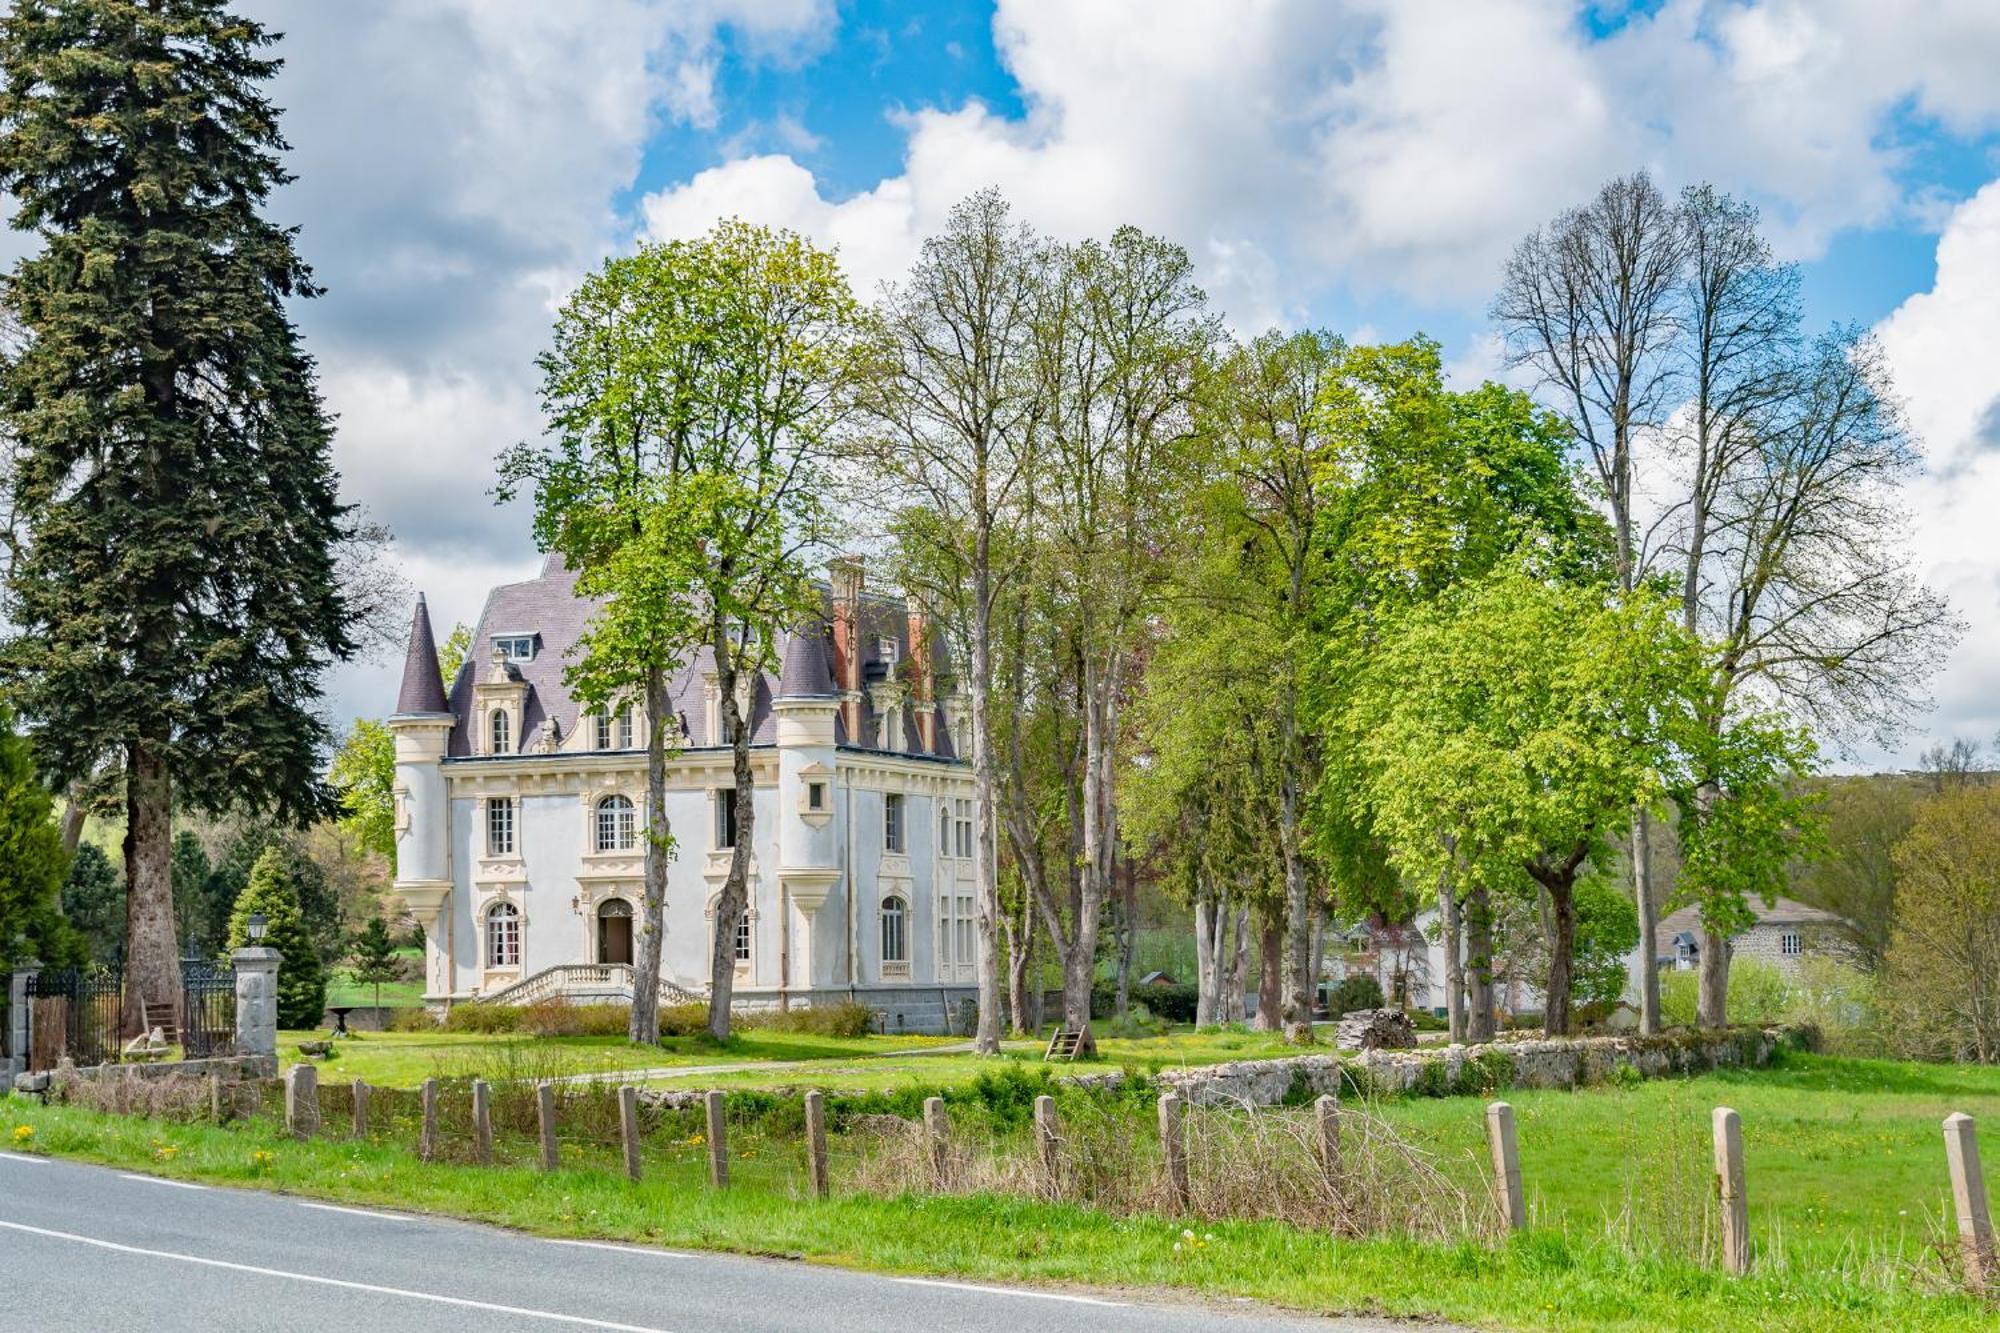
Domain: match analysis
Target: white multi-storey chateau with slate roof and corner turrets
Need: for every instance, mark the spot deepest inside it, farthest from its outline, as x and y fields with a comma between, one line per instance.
x=521, y=816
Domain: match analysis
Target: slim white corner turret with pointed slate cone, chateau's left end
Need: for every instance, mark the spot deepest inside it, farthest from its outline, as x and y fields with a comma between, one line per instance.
x=423, y=730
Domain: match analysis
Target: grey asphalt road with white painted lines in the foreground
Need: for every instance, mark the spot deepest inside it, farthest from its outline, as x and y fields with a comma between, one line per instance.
x=89, y=1248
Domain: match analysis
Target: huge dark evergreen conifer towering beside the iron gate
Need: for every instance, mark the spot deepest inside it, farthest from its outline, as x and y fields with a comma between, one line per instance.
x=175, y=593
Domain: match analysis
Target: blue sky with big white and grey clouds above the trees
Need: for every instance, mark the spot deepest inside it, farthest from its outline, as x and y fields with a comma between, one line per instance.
x=1351, y=165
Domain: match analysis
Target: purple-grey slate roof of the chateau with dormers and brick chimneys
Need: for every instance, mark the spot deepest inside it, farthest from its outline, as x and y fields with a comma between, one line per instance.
x=551, y=609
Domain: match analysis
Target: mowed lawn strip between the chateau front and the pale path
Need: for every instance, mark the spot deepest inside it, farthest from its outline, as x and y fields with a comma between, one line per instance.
x=405, y=1060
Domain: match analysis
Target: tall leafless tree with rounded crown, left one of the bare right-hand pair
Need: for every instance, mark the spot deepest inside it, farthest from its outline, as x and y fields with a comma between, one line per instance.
x=1591, y=305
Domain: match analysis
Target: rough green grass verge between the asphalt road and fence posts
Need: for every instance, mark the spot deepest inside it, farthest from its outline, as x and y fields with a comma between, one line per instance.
x=1541, y=1280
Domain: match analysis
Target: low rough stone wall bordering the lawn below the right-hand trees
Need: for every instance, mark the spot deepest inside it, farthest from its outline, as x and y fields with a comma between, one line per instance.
x=1445, y=1072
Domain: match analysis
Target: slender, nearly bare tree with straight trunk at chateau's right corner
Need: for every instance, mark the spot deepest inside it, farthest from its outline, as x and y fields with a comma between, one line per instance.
x=955, y=443
